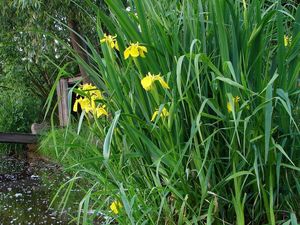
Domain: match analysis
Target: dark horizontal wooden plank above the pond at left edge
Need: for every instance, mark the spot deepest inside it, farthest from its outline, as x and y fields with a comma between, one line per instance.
x=18, y=138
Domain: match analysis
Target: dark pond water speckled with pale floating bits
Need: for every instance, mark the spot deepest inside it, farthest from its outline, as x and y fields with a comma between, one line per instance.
x=26, y=190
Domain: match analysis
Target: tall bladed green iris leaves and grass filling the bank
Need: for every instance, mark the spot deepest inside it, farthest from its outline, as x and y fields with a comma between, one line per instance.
x=228, y=151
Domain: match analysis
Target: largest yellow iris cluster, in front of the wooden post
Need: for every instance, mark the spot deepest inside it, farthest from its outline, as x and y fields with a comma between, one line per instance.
x=88, y=102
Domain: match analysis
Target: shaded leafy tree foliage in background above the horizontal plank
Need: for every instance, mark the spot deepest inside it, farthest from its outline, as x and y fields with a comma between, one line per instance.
x=30, y=57
